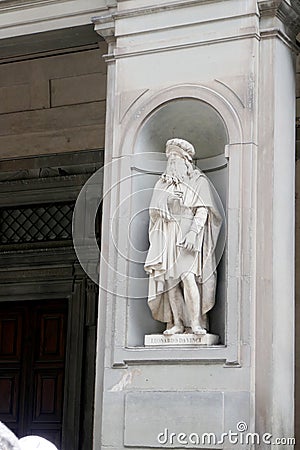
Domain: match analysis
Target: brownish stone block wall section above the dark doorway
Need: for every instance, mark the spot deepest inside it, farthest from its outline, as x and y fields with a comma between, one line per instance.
x=53, y=104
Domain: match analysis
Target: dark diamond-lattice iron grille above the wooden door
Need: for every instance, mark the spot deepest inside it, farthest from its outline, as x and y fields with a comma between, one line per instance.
x=36, y=223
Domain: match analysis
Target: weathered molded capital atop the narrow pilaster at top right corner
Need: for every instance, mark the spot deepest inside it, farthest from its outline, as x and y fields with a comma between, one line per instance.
x=287, y=13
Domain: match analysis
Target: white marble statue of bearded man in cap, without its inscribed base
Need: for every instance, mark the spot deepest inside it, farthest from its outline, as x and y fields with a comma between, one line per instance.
x=183, y=232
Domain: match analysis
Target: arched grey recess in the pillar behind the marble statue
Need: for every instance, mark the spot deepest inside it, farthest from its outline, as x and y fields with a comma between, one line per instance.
x=199, y=123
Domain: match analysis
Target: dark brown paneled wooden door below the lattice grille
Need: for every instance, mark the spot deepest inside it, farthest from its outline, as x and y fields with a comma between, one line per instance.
x=32, y=367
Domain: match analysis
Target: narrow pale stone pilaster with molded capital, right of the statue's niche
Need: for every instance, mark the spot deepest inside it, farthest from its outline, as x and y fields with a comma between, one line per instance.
x=274, y=371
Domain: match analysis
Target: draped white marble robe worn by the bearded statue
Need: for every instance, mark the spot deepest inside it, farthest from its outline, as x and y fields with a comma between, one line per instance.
x=167, y=261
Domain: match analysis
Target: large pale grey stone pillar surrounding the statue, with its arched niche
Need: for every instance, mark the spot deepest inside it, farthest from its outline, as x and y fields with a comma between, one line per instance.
x=233, y=65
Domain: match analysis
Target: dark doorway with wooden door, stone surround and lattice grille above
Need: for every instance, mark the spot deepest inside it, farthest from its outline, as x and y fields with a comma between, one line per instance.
x=38, y=267
